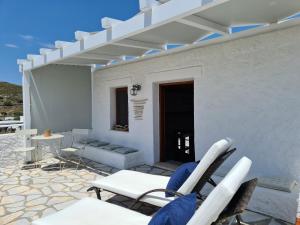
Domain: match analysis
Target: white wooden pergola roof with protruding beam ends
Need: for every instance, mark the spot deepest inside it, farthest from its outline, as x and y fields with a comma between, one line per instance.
x=181, y=22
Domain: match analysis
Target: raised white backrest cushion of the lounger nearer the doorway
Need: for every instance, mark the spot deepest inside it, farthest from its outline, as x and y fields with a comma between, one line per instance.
x=215, y=150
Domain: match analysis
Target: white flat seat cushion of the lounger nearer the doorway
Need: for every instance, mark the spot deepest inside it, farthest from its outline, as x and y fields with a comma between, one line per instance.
x=133, y=184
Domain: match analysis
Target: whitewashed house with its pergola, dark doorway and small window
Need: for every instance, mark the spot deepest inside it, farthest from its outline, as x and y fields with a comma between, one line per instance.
x=131, y=89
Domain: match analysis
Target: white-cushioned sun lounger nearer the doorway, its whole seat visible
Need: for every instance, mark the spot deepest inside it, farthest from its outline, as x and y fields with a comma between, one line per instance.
x=134, y=184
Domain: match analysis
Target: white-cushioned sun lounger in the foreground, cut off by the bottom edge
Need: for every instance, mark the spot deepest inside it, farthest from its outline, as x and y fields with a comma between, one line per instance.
x=94, y=212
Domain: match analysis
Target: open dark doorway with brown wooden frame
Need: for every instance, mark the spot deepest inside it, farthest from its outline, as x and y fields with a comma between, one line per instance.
x=177, y=122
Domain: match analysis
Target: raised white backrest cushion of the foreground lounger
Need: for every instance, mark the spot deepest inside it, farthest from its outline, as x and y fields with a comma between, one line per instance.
x=219, y=198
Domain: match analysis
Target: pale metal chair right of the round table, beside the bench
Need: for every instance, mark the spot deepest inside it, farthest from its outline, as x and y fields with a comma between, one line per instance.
x=76, y=148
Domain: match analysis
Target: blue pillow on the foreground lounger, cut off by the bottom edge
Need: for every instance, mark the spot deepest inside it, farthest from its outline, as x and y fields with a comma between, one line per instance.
x=177, y=212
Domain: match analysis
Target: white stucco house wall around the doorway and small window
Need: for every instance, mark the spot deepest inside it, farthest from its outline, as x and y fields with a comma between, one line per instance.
x=246, y=89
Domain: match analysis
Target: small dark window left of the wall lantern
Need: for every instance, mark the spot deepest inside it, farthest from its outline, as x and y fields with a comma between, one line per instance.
x=121, y=109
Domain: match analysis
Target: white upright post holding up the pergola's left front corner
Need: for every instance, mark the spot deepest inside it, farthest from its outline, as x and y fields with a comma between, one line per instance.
x=26, y=99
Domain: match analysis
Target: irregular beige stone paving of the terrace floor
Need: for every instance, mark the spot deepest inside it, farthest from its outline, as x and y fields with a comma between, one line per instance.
x=30, y=193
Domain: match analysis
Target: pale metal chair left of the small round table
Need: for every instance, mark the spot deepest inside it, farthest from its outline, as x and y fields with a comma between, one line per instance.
x=21, y=153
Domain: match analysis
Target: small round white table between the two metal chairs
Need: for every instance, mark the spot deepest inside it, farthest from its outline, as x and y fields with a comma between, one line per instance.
x=41, y=138
